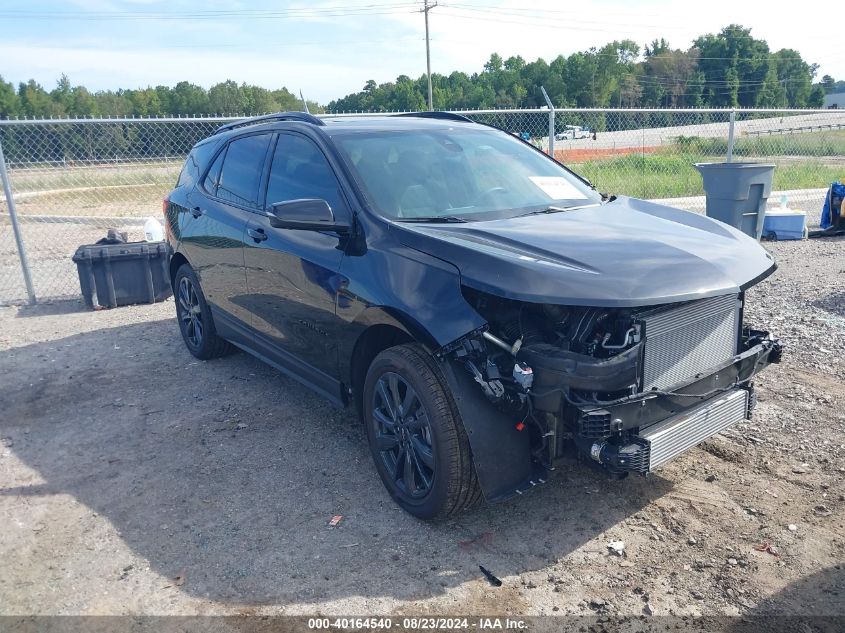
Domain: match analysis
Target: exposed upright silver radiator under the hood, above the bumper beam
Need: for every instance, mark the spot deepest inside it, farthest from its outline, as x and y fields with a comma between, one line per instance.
x=688, y=340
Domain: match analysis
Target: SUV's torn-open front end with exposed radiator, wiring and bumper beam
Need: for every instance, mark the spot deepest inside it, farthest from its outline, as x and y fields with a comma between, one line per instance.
x=627, y=388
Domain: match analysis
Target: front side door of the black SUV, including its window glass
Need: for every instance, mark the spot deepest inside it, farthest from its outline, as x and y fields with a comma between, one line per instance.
x=292, y=275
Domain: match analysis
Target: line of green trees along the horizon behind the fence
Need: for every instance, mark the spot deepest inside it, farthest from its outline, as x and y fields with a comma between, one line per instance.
x=728, y=69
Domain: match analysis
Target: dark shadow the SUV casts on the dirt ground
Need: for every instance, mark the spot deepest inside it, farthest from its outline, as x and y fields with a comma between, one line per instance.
x=230, y=472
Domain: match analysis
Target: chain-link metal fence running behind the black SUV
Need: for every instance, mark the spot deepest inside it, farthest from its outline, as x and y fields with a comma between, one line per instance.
x=73, y=179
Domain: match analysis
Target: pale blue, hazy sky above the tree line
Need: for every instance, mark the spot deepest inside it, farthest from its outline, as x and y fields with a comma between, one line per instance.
x=330, y=48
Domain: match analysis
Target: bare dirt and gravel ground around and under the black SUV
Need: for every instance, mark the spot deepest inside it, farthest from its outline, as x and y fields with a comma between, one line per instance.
x=137, y=480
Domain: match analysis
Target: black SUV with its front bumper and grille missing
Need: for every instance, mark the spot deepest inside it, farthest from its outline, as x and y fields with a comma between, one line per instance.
x=484, y=308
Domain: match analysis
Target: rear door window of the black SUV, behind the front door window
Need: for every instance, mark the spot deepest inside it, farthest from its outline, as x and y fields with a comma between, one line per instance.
x=242, y=166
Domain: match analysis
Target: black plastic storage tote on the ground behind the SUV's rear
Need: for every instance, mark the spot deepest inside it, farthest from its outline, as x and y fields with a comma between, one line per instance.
x=112, y=275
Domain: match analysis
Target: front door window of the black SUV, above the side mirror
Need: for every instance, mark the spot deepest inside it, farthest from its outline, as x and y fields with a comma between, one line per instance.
x=300, y=170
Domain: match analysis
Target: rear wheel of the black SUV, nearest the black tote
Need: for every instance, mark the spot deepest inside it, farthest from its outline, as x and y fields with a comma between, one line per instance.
x=194, y=316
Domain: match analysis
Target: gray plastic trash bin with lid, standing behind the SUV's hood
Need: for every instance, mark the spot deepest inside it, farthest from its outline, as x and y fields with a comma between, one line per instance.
x=737, y=193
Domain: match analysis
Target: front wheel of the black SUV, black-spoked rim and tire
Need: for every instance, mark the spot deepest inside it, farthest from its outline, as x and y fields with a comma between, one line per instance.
x=416, y=437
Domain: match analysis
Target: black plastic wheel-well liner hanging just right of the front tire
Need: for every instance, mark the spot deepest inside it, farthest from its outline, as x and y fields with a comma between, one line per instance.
x=502, y=454
